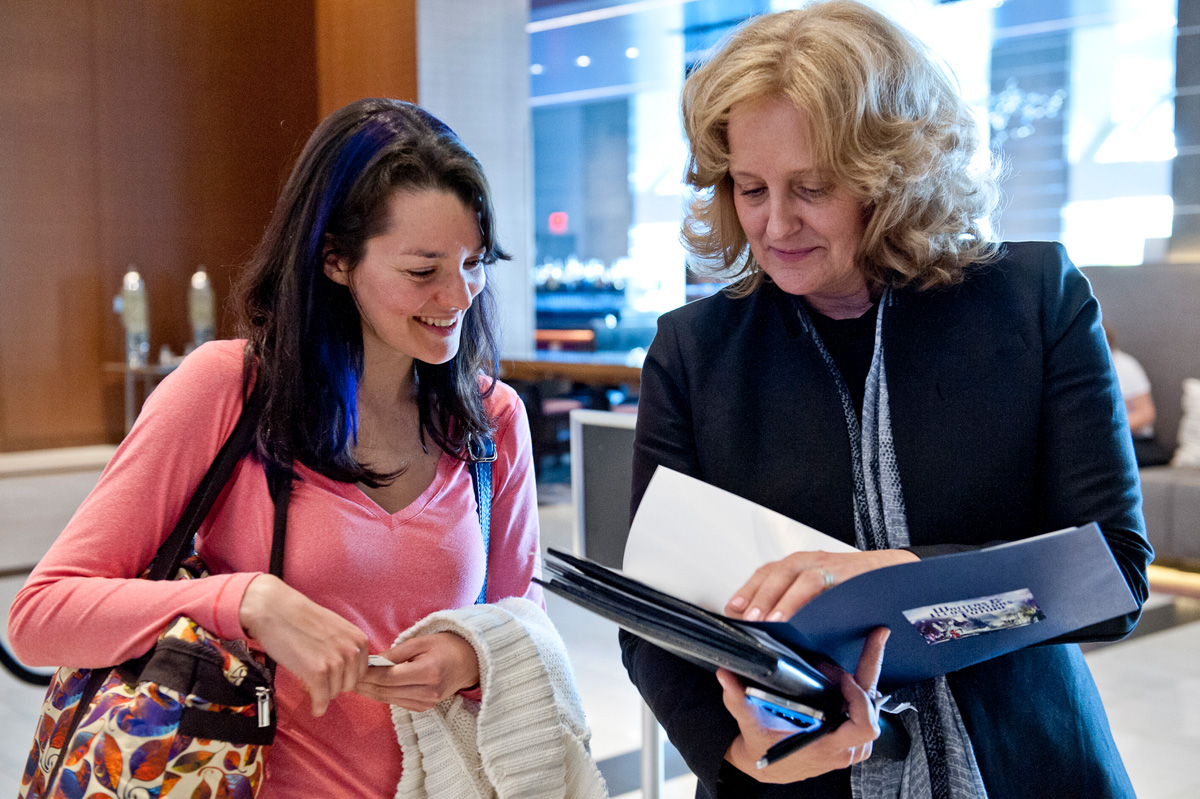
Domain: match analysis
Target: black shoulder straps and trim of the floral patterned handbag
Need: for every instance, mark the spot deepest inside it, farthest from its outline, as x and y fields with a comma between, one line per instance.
x=178, y=546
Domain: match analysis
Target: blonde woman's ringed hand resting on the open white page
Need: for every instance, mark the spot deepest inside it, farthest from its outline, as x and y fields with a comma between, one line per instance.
x=778, y=590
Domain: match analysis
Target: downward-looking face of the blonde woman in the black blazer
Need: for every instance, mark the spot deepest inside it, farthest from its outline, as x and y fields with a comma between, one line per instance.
x=803, y=231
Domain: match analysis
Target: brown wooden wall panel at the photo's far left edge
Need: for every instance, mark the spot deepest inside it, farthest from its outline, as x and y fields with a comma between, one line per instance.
x=51, y=308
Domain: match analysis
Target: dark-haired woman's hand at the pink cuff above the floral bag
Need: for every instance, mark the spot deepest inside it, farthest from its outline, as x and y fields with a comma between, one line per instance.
x=326, y=652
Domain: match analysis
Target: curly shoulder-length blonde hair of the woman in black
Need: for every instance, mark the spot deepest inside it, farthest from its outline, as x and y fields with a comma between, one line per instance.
x=889, y=127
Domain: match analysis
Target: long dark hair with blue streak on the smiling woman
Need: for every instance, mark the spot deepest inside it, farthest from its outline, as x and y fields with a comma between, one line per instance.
x=304, y=329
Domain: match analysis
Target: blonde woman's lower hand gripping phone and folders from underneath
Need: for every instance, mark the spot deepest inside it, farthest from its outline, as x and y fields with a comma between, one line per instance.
x=849, y=744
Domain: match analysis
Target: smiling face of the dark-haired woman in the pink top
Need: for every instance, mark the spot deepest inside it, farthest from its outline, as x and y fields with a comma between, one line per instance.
x=416, y=280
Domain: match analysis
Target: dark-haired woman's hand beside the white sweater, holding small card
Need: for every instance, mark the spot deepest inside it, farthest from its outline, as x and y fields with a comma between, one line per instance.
x=429, y=670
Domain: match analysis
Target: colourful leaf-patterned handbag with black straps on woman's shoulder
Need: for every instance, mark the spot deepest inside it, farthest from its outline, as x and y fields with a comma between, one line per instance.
x=194, y=717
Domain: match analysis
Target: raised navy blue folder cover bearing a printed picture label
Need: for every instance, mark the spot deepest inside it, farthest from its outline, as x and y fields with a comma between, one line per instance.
x=1071, y=576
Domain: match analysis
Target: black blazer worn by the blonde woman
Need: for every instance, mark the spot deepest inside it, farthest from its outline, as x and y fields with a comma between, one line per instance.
x=1007, y=423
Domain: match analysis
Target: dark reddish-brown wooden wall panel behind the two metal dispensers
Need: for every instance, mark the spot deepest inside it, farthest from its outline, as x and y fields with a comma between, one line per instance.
x=200, y=118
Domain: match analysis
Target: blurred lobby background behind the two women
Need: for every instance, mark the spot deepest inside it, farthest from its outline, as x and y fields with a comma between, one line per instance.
x=155, y=137
